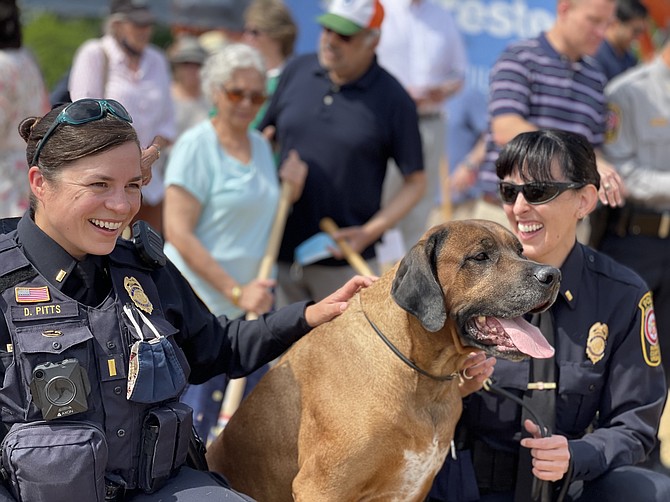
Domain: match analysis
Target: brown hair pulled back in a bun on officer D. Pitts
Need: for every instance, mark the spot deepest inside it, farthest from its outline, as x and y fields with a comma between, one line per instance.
x=69, y=143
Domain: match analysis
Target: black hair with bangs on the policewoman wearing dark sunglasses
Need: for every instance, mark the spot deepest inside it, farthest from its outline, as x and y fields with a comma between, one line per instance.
x=533, y=153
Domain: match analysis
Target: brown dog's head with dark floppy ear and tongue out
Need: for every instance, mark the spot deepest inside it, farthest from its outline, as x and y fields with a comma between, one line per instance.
x=474, y=273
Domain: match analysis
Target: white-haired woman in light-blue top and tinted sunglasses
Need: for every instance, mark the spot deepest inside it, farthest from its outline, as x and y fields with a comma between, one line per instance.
x=222, y=191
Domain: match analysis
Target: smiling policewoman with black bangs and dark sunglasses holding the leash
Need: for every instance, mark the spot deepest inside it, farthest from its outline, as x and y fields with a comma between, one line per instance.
x=606, y=391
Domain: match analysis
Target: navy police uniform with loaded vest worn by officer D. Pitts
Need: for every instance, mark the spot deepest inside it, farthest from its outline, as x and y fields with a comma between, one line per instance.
x=102, y=440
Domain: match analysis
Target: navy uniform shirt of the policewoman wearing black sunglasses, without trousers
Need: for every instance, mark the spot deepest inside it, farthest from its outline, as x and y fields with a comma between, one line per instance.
x=608, y=370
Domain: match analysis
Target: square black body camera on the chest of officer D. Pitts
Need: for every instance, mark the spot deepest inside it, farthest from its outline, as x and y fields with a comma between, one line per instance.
x=60, y=389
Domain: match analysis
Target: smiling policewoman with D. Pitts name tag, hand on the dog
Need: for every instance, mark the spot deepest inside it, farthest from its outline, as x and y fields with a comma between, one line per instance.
x=101, y=334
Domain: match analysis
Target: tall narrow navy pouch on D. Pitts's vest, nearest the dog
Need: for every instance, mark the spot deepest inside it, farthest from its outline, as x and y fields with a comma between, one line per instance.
x=165, y=435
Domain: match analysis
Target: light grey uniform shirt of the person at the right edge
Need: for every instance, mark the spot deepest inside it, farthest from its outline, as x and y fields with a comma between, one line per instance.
x=638, y=132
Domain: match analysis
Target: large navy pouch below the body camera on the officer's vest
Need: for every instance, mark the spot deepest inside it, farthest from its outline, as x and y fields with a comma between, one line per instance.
x=55, y=461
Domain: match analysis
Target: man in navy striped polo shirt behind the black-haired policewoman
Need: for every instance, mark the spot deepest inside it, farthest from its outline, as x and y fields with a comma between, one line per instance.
x=551, y=81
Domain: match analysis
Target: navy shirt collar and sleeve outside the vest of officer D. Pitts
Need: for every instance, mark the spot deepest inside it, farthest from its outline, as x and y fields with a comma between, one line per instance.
x=212, y=345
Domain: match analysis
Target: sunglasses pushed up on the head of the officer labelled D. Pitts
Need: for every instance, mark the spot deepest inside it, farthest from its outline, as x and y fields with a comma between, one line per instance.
x=82, y=112
